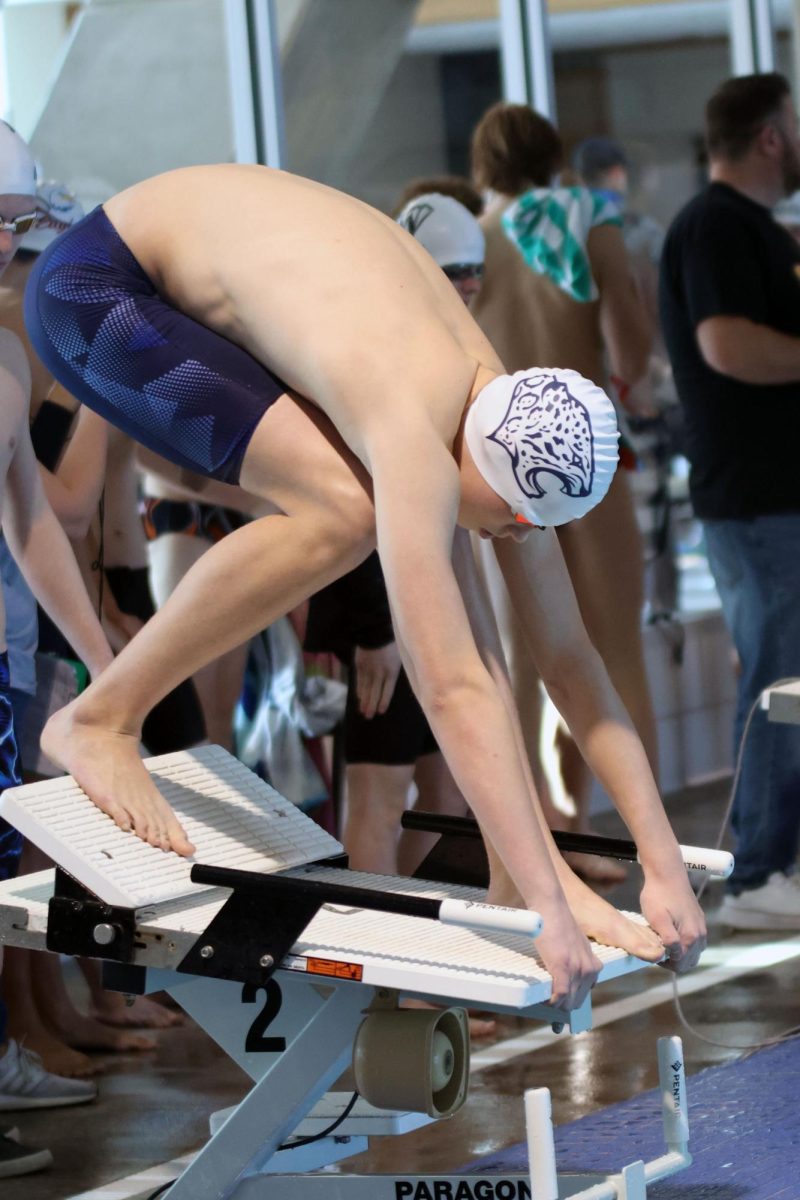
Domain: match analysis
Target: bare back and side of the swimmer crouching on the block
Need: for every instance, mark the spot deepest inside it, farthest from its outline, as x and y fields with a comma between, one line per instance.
x=326, y=291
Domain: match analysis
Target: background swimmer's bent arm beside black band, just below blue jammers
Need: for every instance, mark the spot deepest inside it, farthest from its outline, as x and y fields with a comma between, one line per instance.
x=75, y=489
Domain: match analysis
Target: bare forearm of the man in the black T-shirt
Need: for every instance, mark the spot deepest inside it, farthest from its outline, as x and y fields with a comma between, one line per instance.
x=748, y=351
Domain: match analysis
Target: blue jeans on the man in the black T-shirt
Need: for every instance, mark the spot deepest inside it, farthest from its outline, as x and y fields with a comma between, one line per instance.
x=756, y=566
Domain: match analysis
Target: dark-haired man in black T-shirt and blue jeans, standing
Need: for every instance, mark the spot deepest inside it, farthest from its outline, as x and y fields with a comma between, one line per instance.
x=731, y=313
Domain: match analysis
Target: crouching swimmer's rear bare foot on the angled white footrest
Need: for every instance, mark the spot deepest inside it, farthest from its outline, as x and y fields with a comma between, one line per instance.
x=109, y=767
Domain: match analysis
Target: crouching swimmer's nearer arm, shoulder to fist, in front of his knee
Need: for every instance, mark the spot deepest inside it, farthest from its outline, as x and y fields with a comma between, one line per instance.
x=417, y=489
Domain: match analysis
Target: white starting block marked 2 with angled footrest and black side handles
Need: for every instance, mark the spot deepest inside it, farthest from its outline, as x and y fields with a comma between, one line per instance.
x=294, y=965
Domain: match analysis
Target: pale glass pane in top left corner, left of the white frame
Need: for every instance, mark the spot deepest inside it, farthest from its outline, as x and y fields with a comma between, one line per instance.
x=117, y=91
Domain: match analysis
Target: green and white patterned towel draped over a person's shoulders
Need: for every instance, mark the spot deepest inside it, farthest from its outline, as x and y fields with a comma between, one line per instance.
x=550, y=226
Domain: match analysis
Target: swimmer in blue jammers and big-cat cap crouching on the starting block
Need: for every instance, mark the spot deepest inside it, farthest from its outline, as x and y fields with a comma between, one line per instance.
x=268, y=332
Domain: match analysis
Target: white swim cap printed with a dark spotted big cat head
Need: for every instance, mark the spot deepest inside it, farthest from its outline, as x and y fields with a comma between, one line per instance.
x=545, y=441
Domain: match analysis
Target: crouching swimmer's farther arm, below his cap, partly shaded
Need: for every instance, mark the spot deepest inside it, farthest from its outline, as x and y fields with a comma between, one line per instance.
x=579, y=685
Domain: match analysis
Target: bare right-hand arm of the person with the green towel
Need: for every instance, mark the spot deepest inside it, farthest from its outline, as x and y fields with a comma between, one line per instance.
x=624, y=322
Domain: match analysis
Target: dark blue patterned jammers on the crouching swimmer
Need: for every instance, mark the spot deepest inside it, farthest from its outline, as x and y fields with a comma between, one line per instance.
x=99, y=325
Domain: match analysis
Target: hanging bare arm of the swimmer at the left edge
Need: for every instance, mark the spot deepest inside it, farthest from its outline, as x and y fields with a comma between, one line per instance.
x=40, y=547
